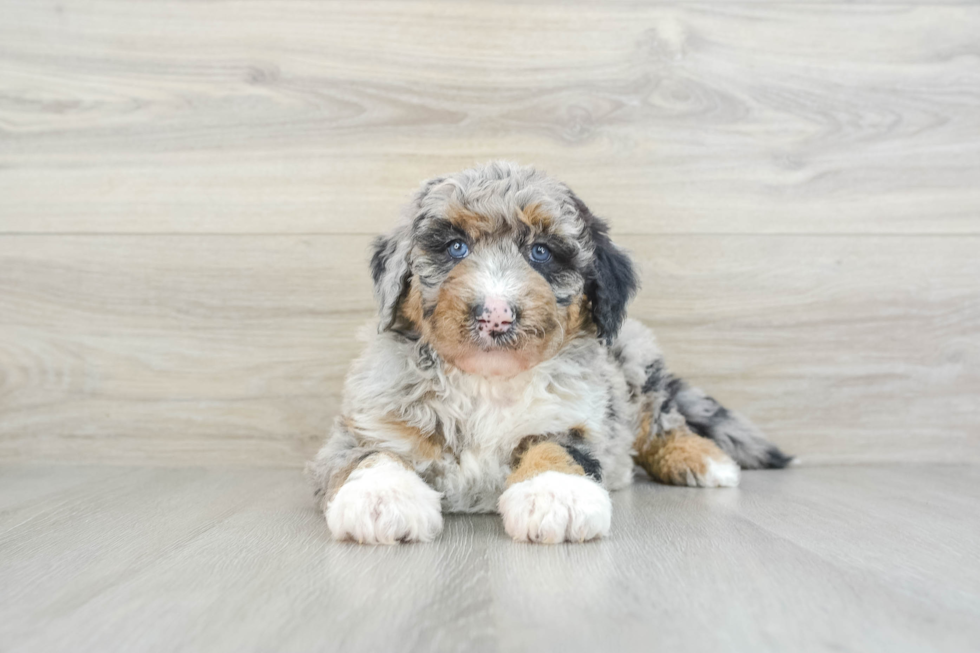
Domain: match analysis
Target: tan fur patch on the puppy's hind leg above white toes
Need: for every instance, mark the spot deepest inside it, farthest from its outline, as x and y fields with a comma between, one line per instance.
x=671, y=457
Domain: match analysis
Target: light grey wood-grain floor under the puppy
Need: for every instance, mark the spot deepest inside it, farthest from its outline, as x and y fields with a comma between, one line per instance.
x=817, y=559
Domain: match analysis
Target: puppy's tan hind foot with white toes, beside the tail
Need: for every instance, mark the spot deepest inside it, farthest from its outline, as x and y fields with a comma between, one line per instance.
x=680, y=457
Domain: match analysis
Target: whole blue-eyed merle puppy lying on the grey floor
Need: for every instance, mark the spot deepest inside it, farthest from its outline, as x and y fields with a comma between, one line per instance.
x=505, y=377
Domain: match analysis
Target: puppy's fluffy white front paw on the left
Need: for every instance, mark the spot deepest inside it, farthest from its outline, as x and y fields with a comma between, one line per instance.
x=385, y=504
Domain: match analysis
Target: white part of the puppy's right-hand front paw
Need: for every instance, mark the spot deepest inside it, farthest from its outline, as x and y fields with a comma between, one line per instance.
x=553, y=507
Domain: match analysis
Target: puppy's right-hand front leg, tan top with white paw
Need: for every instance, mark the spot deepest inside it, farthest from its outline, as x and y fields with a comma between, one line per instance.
x=549, y=498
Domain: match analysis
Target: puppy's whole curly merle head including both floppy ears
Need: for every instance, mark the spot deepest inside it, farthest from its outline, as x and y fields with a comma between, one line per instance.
x=498, y=267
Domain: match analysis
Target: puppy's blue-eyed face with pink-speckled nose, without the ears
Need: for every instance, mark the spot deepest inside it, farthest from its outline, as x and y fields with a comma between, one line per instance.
x=495, y=295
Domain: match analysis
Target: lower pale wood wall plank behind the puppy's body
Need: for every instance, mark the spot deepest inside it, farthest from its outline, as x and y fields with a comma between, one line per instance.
x=232, y=349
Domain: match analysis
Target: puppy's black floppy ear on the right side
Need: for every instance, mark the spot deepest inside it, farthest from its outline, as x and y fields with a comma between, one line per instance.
x=610, y=281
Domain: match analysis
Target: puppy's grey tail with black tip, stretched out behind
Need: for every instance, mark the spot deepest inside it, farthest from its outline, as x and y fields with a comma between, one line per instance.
x=734, y=434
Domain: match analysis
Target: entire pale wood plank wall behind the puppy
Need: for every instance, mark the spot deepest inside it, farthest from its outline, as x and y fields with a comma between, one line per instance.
x=188, y=189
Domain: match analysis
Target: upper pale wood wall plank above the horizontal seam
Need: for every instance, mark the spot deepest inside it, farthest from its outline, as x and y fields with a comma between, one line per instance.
x=321, y=117
